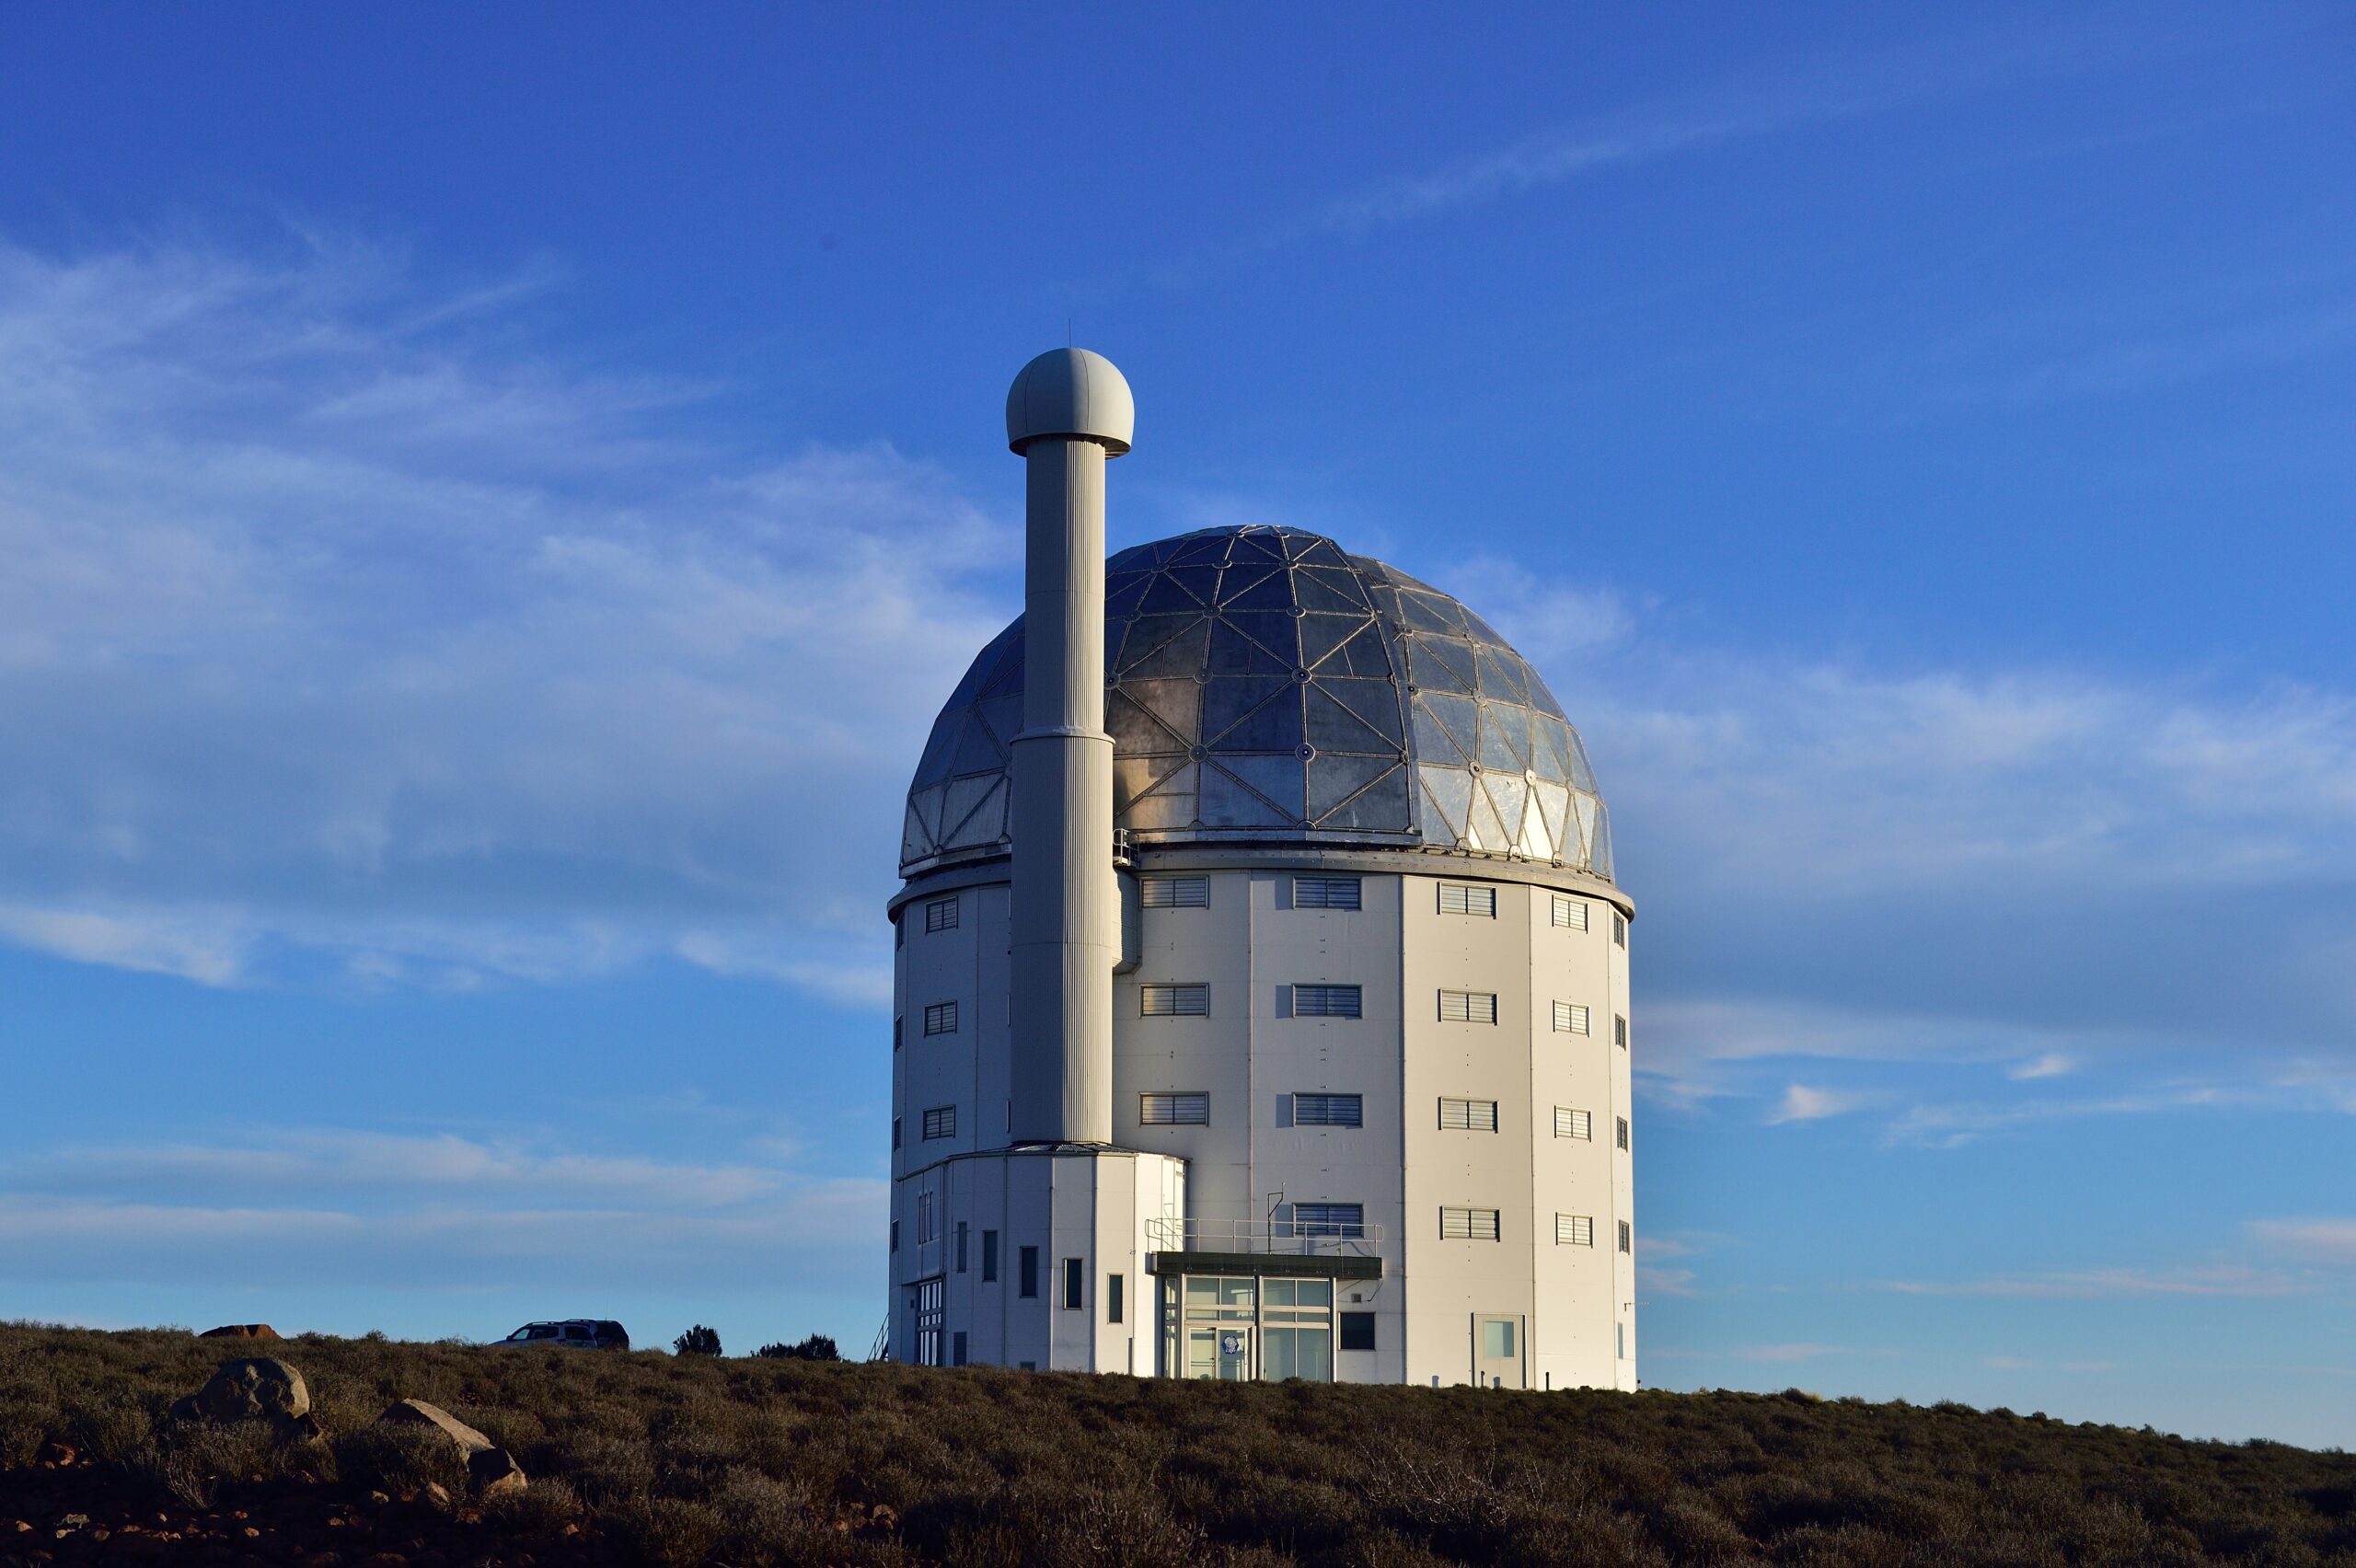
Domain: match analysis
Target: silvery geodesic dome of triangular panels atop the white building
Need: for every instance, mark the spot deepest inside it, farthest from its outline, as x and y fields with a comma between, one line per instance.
x=1264, y=686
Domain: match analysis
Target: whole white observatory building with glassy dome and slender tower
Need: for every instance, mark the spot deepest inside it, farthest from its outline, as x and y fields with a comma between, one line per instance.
x=1262, y=985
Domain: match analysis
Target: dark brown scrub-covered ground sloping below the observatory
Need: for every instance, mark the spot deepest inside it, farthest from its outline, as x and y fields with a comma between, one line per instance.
x=696, y=1461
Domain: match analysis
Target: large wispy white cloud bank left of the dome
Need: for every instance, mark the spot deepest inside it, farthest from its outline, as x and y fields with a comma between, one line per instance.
x=338, y=630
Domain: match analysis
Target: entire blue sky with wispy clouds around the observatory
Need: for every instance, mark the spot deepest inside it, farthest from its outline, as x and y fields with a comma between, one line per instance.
x=491, y=503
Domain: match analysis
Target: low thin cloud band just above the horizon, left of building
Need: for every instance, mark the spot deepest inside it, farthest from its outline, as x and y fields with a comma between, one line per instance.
x=409, y=1211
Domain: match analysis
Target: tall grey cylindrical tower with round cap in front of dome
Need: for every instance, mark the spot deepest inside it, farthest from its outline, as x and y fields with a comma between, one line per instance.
x=1068, y=413
